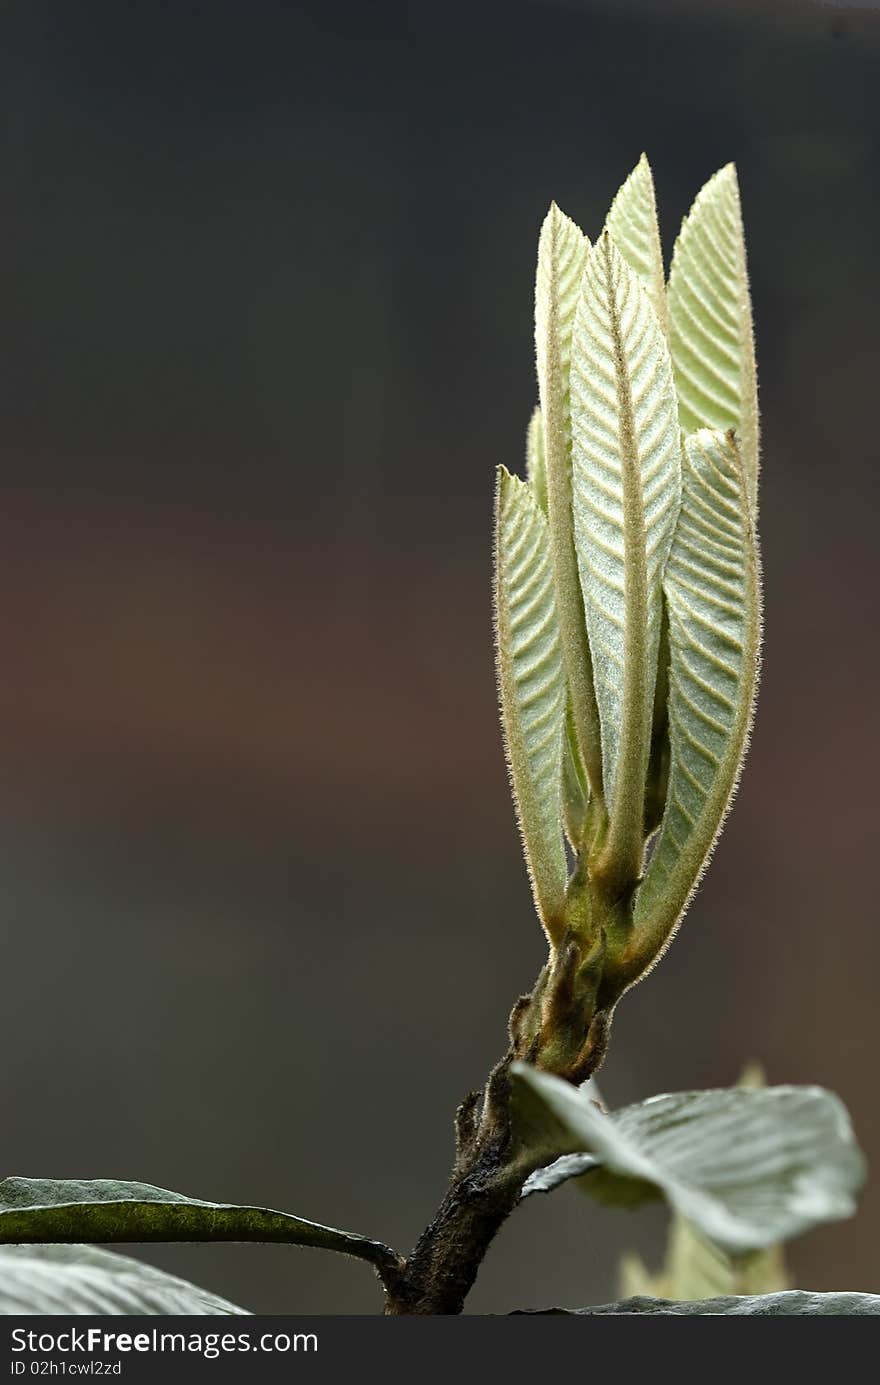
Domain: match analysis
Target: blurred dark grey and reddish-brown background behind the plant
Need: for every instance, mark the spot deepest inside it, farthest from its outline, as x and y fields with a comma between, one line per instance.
x=267, y=330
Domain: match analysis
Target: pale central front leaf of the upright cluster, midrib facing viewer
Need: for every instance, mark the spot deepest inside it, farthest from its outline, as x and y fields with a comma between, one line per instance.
x=627, y=495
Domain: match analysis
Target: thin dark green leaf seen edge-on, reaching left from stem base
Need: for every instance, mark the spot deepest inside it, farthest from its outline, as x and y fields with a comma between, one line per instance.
x=105, y=1210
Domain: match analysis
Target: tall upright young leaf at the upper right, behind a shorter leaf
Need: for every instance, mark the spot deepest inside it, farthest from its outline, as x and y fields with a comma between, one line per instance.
x=710, y=321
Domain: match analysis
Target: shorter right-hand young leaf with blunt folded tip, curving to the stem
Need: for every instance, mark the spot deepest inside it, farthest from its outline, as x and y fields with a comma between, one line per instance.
x=714, y=607
